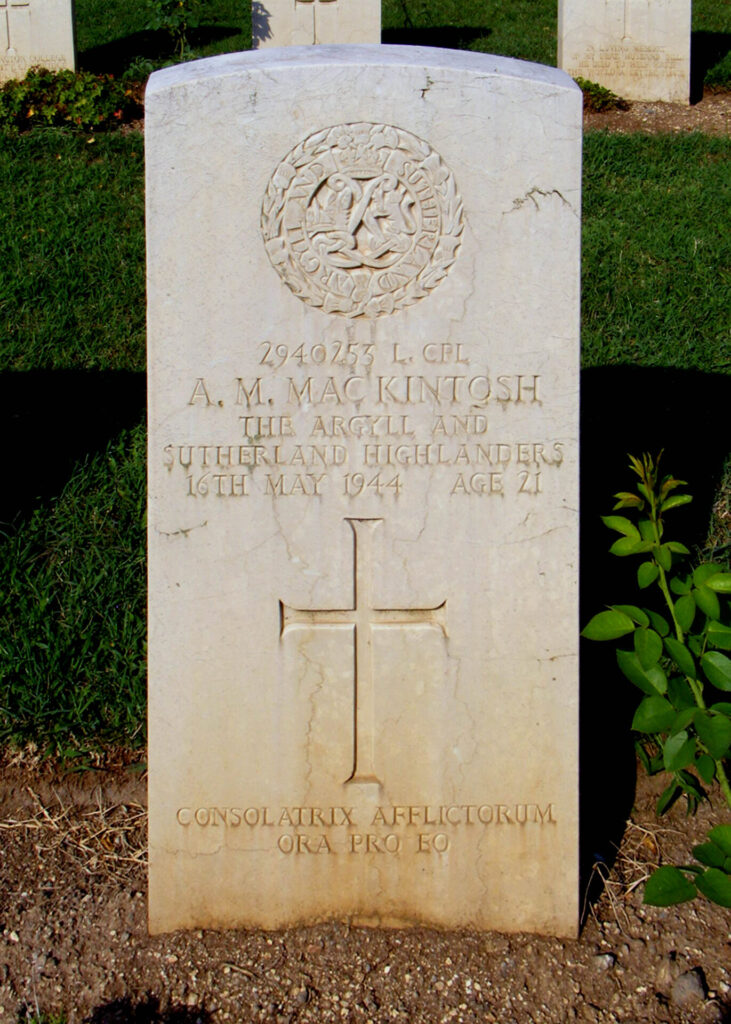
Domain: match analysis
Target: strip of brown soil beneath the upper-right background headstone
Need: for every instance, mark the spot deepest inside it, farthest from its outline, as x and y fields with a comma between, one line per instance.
x=712, y=115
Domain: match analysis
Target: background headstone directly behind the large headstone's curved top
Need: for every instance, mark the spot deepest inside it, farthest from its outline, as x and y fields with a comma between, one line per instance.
x=302, y=23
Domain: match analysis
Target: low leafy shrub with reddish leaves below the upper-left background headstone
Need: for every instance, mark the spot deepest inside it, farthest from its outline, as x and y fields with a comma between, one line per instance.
x=67, y=99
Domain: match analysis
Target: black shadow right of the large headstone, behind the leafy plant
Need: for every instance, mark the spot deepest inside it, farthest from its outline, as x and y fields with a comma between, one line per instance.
x=632, y=410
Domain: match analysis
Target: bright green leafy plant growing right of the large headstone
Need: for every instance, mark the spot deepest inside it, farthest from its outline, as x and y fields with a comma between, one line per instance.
x=678, y=663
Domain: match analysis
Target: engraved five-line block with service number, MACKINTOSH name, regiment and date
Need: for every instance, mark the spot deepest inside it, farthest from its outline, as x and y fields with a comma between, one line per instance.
x=346, y=418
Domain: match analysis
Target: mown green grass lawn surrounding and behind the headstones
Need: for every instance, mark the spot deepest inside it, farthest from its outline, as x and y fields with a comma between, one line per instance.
x=657, y=283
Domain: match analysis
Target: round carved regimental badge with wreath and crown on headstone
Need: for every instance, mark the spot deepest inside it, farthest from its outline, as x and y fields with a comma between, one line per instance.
x=363, y=220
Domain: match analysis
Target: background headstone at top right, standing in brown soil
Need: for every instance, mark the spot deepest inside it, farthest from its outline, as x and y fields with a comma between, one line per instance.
x=640, y=50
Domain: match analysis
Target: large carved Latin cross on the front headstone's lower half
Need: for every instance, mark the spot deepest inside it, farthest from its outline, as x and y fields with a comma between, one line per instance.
x=362, y=619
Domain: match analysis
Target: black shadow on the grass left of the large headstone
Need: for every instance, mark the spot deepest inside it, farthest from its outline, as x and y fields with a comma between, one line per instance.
x=52, y=420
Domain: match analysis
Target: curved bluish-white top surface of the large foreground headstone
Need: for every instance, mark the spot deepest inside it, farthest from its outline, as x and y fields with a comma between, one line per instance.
x=348, y=56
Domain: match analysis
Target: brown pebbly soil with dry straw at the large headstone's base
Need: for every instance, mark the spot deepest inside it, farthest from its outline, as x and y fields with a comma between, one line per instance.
x=73, y=936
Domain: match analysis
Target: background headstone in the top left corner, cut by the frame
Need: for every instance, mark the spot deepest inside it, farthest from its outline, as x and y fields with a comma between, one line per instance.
x=35, y=33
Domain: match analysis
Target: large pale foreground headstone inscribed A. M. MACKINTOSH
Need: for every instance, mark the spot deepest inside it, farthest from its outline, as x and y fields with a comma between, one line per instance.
x=364, y=282
